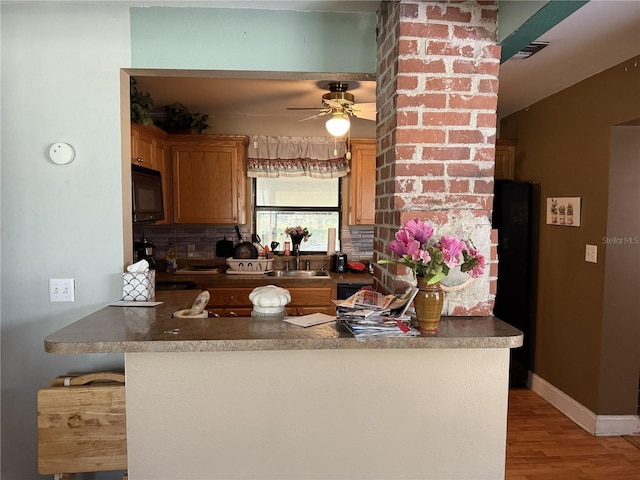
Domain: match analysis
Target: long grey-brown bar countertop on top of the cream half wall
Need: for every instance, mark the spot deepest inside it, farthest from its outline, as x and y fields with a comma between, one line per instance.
x=114, y=329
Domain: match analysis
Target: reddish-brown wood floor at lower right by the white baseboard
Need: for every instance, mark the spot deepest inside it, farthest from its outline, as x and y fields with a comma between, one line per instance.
x=543, y=444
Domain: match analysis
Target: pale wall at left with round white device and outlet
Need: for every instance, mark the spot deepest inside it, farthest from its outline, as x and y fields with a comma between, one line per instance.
x=60, y=82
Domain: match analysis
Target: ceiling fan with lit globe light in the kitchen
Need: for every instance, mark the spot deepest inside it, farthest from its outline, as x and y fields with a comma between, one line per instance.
x=341, y=105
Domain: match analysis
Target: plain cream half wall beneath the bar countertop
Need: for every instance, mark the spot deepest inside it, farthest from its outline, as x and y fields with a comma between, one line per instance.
x=318, y=414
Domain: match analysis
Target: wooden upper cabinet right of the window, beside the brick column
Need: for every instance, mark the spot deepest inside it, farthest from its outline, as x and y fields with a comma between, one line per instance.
x=362, y=183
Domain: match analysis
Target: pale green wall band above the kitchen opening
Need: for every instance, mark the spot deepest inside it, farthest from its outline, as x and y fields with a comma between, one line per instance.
x=256, y=40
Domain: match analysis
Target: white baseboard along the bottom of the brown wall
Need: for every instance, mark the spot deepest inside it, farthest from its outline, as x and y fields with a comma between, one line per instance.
x=598, y=425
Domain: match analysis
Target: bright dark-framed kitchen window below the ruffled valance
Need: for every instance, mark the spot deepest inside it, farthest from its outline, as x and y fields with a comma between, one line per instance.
x=288, y=202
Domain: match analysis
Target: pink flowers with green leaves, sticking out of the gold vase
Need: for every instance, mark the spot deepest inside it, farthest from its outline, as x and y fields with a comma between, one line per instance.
x=431, y=258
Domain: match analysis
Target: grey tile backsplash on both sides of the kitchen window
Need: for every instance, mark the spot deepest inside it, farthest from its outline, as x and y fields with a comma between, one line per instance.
x=199, y=242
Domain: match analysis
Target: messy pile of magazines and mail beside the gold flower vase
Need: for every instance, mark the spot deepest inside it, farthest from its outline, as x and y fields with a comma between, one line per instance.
x=368, y=315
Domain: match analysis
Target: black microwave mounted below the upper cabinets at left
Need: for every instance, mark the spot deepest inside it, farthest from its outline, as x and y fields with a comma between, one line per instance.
x=146, y=191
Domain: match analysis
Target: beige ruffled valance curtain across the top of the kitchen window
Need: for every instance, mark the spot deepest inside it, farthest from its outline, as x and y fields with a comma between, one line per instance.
x=316, y=157
